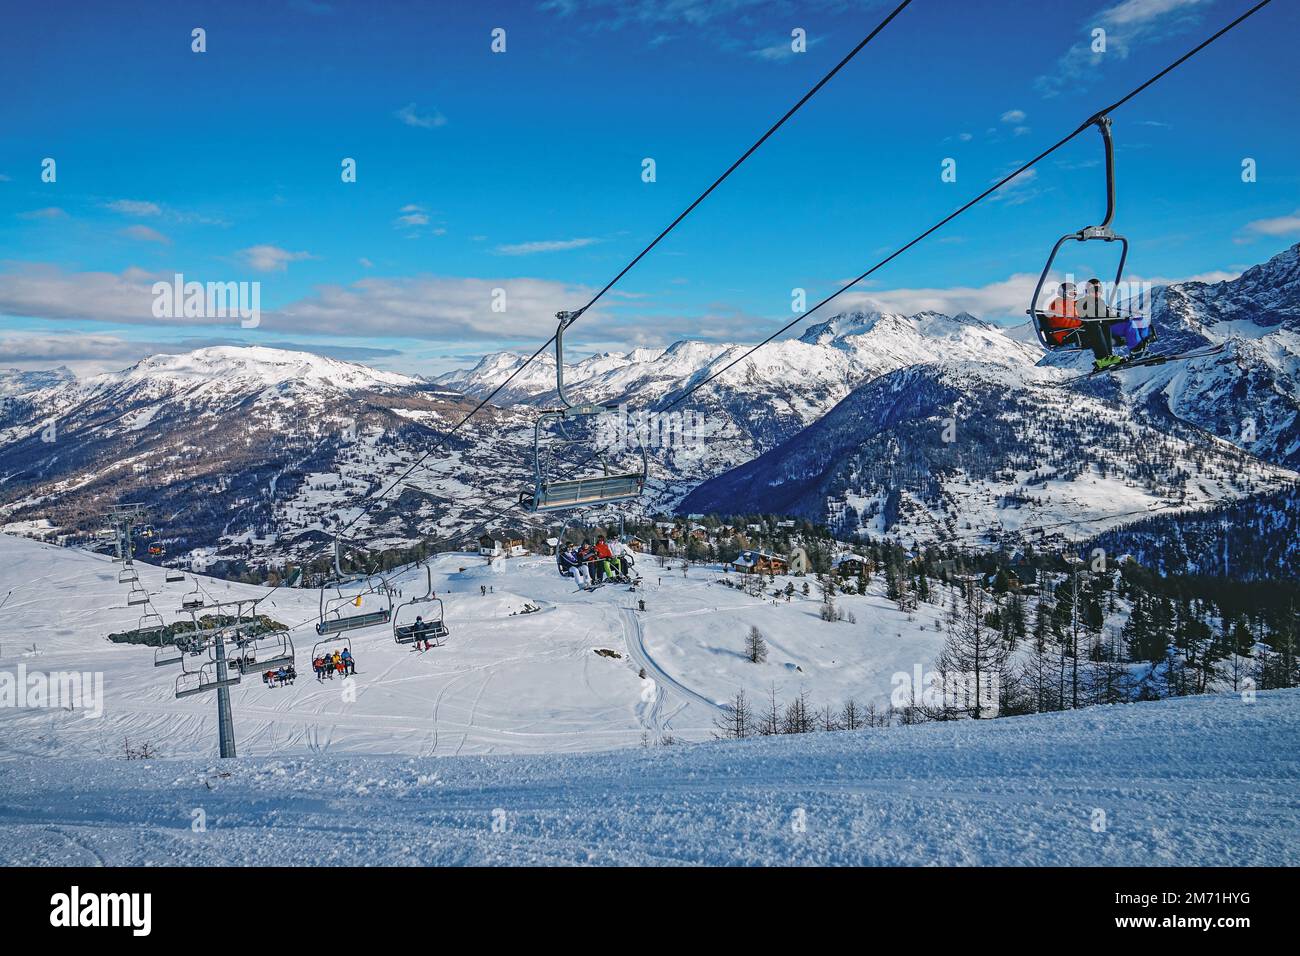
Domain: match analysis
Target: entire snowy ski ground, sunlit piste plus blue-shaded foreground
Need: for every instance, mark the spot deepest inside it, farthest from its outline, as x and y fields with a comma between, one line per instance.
x=536, y=715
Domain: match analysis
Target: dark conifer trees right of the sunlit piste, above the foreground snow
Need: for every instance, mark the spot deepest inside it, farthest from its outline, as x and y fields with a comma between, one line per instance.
x=1080, y=638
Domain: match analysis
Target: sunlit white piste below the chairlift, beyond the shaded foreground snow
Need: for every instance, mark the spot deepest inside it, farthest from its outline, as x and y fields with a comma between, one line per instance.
x=504, y=684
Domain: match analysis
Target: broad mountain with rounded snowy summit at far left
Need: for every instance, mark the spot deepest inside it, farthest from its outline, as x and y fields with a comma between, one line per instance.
x=241, y=449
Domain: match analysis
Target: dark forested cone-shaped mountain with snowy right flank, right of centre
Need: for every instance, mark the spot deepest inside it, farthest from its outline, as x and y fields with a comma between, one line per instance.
x=973, y=449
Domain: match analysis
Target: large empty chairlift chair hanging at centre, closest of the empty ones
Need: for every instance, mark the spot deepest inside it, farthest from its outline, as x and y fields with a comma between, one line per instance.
x=551, y=494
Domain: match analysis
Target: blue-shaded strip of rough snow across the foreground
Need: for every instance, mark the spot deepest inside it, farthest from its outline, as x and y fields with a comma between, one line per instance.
x=1193, y=782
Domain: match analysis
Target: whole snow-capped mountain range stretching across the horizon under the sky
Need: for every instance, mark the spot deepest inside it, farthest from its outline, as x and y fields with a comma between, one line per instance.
x=261, y=451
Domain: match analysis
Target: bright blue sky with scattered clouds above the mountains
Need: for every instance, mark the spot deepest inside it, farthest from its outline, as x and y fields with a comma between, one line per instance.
x=522, y=171
